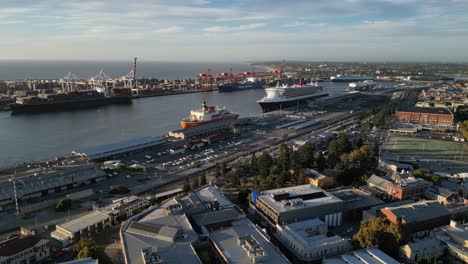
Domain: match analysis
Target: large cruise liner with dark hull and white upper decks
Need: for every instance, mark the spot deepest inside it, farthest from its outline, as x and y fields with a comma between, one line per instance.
x=284, y=96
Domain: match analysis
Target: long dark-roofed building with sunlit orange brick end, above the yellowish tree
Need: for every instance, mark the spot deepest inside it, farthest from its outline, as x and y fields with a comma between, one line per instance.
x=419, y=218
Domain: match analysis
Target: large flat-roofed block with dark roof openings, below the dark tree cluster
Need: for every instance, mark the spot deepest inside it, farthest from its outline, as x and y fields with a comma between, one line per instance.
x=292, y=204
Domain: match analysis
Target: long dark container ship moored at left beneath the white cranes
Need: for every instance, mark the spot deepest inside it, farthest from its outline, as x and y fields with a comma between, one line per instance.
x=69, y=101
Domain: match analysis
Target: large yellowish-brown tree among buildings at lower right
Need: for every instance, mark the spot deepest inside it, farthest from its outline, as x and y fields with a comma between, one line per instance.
x=382, y=233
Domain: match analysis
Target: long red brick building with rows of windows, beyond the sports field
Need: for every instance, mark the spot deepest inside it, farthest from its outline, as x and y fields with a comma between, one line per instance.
x=426, y=115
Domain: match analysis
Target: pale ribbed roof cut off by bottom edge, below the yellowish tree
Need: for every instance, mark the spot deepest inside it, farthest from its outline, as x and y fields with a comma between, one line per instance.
x=362, y=256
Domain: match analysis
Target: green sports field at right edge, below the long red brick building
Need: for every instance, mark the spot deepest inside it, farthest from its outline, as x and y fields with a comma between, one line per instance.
x=429, y=149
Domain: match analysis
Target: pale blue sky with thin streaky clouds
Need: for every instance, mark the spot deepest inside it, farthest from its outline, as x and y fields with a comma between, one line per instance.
x=235, y=30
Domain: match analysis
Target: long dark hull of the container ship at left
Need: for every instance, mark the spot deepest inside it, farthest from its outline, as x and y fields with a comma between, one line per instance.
x=68, y=105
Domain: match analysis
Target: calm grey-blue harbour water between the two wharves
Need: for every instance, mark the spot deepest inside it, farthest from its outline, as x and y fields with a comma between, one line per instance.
x=25, y=138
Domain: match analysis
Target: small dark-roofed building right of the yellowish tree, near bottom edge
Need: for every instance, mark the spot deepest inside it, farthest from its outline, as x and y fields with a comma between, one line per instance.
x=426, y=249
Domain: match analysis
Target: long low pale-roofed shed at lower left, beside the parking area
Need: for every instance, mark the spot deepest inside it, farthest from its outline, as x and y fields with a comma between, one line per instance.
x=83, y=226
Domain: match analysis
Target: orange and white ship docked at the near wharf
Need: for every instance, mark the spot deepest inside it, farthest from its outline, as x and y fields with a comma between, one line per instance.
x=206, y=115
